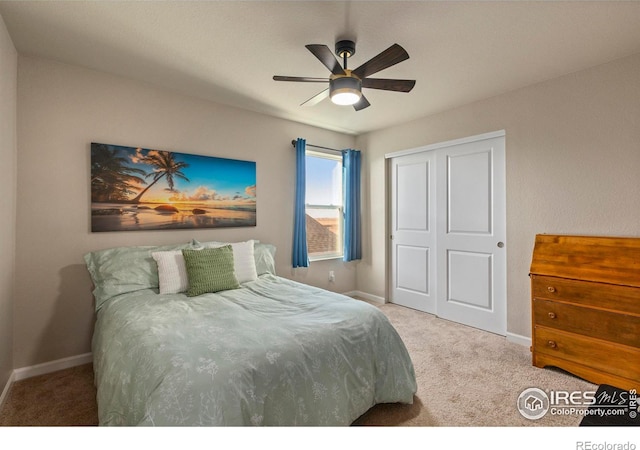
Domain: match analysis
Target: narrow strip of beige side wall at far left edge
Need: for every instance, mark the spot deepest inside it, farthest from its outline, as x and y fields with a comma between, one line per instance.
x=8, y=93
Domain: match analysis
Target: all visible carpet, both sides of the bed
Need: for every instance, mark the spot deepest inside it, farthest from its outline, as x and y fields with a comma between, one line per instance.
x=466, y=377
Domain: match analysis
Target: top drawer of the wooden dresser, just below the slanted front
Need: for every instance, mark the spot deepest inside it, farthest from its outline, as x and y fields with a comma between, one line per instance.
x=601, y=295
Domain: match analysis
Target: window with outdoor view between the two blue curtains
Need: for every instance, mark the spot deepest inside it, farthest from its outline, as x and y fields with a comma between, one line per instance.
x=323, y=205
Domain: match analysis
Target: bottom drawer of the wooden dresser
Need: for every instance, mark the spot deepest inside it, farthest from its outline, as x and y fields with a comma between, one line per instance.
x=601, y=355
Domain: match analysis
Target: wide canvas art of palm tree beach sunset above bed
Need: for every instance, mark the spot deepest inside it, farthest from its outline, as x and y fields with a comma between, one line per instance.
x=133, y=188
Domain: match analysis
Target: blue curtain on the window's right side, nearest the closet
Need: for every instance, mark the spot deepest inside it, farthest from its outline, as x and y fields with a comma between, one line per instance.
x=352, y=226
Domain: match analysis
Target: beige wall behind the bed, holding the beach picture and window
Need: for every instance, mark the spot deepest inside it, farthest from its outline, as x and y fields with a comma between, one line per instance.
x=61, y=110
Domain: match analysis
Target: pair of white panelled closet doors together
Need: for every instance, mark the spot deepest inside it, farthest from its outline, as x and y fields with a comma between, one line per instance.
x=448, y=225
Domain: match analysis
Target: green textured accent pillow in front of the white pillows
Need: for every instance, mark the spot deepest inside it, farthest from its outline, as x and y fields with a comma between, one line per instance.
x=210, y=270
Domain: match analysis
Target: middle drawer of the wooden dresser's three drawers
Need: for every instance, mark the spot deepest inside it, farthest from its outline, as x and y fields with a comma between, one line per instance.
x=606, y=325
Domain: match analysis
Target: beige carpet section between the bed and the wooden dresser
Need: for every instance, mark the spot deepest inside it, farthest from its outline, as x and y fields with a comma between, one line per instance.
x=467, y=377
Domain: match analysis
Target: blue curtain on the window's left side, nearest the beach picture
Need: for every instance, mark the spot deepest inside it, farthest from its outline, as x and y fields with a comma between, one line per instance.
x=300, y=256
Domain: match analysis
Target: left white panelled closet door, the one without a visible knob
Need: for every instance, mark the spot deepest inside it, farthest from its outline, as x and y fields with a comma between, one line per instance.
x=413, y=231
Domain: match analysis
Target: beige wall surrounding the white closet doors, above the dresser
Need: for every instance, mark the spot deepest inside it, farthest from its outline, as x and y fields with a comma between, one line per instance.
x=573, y=167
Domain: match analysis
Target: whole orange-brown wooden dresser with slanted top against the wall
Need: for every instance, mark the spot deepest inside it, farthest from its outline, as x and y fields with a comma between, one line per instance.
x=585, y=298
